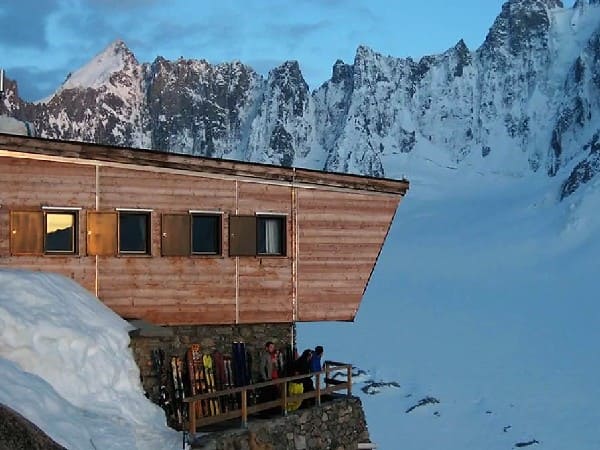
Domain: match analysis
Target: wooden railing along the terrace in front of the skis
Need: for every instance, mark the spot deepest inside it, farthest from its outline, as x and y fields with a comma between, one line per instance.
x=325, y=384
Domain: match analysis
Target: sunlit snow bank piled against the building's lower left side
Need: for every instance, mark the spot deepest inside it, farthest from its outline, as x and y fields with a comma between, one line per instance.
x=66, y=366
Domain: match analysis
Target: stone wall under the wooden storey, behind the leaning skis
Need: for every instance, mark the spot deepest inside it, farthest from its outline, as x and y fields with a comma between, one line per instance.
x=175, y=341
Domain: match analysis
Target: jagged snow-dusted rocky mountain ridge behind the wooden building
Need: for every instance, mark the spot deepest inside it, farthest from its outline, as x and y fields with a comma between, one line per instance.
x=528, y=100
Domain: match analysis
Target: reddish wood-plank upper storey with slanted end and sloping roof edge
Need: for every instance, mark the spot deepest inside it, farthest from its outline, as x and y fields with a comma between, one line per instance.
x=334, y=226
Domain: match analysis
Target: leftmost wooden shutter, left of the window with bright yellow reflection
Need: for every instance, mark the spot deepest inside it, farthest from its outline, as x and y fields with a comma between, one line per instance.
x=26, y=232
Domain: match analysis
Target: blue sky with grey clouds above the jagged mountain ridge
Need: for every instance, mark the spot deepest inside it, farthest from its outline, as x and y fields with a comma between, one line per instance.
x=41, y=42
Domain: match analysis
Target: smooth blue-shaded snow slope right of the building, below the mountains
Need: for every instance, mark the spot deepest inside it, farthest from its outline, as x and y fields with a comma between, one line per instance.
x=484, y=299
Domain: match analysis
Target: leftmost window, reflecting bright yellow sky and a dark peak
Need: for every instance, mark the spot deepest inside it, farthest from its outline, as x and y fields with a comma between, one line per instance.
x=60, y=232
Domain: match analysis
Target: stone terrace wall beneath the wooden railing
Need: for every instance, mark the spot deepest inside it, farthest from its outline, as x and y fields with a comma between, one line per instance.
x=336, y=425
